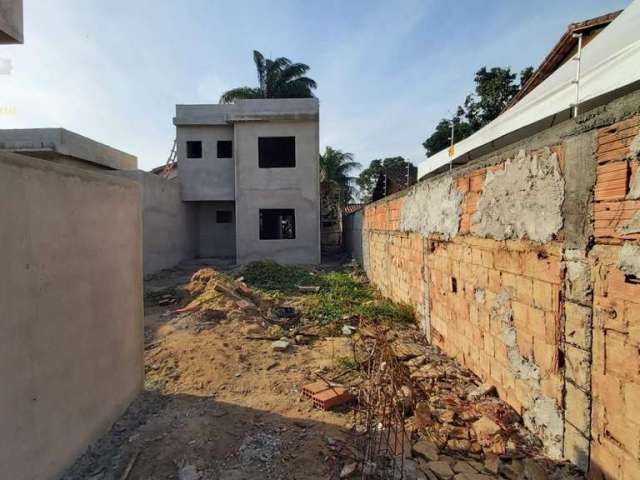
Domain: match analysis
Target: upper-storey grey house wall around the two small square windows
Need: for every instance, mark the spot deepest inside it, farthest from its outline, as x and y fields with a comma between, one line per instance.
x=208, y=178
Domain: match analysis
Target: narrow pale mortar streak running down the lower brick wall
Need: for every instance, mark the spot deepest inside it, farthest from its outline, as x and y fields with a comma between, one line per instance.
x=541, y=414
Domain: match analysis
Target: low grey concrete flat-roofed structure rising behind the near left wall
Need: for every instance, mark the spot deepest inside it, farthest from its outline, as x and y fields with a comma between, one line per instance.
x=65, y=147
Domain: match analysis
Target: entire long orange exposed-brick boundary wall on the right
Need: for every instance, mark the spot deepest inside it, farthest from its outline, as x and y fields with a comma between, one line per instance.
x=574, y=315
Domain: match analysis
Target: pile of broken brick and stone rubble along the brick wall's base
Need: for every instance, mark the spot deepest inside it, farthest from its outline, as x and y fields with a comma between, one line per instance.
x=452, y=426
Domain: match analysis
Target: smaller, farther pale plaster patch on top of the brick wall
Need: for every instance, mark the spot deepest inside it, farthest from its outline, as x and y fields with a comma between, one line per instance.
x=432, y=207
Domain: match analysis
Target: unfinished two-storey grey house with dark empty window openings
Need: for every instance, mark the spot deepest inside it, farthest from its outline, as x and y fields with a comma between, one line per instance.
x=251, y=168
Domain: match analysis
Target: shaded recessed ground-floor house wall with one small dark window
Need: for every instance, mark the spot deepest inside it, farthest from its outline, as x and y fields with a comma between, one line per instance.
x=216, y=239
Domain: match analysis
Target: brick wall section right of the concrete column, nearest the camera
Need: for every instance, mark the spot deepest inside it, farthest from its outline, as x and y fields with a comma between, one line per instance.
x=615, y=426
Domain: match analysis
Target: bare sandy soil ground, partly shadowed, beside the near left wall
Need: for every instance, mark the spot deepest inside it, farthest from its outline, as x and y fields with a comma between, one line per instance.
x=218, y=405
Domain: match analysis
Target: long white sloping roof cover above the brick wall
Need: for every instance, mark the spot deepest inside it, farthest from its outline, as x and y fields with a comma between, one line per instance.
x=610, y=62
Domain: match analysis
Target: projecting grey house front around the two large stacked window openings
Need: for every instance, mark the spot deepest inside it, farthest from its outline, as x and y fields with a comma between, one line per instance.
x=296, y=188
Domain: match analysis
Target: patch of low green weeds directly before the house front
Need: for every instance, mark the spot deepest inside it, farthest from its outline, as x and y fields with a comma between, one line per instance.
x=273, y=277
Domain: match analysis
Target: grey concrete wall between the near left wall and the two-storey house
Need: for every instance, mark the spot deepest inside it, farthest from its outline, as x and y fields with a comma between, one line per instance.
x=170, y=226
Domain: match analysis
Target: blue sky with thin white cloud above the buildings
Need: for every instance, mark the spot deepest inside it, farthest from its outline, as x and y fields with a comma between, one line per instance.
x=387, y=71
